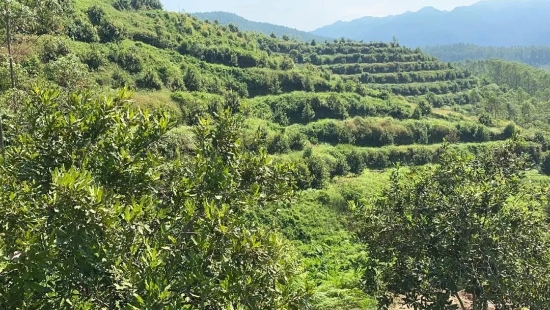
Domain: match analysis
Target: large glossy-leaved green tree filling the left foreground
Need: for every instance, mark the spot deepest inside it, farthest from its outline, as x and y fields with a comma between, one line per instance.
x=92, y=217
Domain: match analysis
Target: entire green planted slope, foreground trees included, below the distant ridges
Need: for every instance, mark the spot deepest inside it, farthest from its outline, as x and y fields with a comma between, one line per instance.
x=152, y=160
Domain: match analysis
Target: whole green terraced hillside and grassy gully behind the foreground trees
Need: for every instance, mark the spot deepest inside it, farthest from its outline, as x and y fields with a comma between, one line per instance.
x=340, y=112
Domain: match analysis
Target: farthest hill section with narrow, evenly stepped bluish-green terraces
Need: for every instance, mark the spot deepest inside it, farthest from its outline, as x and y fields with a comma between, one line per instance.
x=388, y=67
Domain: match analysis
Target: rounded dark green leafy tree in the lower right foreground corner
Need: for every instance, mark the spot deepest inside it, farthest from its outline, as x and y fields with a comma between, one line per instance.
x=467, y=224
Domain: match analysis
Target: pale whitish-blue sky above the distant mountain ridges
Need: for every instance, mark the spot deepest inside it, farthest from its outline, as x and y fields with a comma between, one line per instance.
x=309, y=14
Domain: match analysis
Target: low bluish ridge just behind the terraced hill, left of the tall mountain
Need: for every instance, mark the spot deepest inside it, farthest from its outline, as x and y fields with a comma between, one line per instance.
x=226, y=18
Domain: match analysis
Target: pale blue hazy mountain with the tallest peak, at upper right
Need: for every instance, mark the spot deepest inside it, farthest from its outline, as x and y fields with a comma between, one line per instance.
x=486, y=23
